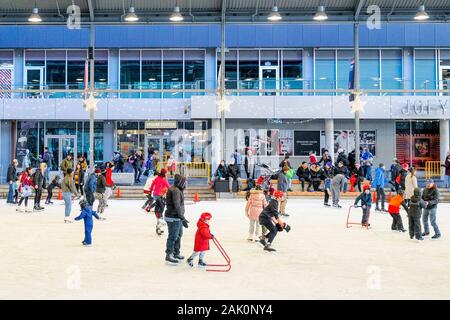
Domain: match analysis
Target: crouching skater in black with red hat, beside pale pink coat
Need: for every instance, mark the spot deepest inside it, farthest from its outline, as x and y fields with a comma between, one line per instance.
x=269, y=218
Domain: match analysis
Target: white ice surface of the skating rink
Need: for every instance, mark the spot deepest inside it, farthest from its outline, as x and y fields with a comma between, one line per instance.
x=41, y=257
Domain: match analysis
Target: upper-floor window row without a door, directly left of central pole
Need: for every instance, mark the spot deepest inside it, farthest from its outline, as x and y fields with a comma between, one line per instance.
x=168, y=69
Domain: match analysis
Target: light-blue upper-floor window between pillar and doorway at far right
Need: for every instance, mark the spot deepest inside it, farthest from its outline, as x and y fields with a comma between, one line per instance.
x=425, y=70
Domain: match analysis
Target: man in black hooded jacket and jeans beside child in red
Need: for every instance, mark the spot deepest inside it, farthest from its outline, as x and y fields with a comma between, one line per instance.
x=175, y=219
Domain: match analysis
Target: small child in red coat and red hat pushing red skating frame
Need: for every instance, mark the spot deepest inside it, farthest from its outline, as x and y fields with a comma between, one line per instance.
x=202, y=237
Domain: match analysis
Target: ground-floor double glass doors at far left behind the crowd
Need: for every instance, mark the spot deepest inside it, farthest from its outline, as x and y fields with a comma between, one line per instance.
x=60, y=147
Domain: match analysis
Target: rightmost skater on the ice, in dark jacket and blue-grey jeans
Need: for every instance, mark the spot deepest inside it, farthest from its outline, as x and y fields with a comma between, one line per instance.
x=431, y=197
